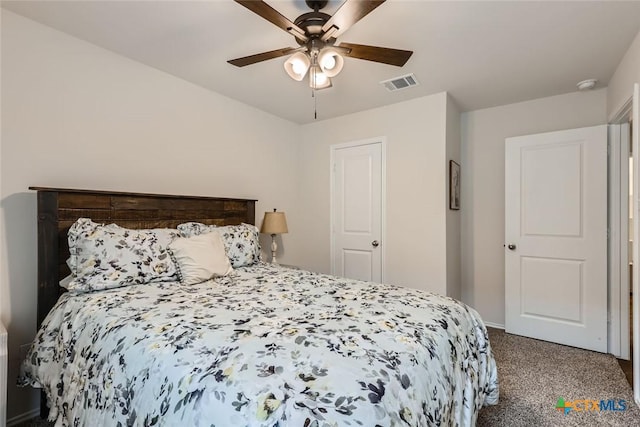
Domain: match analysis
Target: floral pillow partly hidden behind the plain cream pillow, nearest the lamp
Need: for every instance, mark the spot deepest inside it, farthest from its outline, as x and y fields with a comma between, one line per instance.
x=241, y=242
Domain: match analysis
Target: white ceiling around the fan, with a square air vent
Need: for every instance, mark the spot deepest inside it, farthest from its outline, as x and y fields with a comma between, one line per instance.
x=483, y=53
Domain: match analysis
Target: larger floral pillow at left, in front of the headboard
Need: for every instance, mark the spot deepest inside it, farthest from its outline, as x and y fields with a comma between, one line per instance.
x=110, y=256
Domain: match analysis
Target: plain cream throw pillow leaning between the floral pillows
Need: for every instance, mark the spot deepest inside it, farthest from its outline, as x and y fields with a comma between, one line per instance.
x=200, y=258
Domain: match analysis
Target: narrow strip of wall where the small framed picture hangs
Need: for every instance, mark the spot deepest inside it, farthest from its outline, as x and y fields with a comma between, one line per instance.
x=454, y=274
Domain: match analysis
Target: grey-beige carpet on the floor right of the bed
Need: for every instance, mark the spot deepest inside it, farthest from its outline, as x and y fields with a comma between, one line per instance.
x=534, y=374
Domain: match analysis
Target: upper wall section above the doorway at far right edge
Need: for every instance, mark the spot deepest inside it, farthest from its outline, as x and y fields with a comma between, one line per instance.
x=627, y=73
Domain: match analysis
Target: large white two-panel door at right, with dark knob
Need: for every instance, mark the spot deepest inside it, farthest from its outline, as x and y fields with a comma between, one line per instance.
x=556, y=237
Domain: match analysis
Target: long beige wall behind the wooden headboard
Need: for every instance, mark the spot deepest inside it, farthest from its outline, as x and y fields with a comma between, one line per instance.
x=77, y=116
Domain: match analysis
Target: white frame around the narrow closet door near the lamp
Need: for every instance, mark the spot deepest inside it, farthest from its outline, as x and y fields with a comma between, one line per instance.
x=383, y=197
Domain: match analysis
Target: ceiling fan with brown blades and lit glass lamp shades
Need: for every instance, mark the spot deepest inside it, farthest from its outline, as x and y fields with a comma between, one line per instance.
x=316, y=34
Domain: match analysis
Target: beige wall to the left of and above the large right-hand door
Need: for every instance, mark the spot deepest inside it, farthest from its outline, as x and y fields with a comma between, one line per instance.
x=483, y=135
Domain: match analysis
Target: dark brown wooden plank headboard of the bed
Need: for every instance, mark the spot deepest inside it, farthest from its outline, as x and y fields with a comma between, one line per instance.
x=59, y=208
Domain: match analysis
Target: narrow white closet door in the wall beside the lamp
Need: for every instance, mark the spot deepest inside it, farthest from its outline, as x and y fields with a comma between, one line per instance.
x=357, y=199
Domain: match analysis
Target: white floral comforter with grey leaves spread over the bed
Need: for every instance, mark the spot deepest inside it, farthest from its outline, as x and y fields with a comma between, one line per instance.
x=266, y=346
